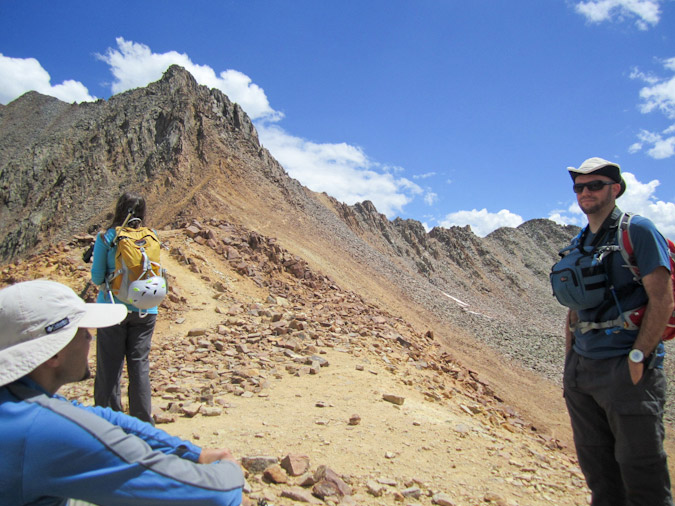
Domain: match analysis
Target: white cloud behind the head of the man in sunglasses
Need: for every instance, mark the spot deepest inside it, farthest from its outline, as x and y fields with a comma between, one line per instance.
x=639, y=198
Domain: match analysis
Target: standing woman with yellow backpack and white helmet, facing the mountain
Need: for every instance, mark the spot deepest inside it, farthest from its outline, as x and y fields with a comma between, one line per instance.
x=126, y=268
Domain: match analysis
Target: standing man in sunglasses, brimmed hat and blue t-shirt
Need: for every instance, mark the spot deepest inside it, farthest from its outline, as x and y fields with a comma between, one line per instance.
x=614, y=382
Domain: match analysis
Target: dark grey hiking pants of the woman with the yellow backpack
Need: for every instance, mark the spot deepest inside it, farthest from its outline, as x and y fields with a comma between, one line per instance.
x=130, y=339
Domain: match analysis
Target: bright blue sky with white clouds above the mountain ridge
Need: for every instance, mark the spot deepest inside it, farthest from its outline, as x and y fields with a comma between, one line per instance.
x=446, y=112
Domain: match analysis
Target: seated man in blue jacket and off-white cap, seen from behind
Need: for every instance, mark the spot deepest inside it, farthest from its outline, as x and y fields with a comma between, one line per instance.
x=53, y=450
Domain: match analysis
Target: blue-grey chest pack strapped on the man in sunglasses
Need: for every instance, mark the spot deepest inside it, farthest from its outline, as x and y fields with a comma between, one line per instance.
x=579, y=280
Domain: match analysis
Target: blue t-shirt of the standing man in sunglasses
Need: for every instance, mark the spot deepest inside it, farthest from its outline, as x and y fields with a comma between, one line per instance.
x=651, y=251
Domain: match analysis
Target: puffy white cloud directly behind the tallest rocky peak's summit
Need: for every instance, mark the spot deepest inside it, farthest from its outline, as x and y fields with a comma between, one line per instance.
x=134, y=65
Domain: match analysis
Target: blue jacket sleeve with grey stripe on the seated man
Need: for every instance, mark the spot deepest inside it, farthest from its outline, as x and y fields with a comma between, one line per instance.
x=73, y=452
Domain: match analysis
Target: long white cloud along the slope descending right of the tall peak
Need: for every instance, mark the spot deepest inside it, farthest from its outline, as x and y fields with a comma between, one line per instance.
x=341, y=170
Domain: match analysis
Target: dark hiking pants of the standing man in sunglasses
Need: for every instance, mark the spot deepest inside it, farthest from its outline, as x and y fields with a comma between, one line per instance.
x=618, y=431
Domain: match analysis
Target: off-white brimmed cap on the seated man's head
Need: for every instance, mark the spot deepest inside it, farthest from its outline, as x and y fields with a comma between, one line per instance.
x=39, y=318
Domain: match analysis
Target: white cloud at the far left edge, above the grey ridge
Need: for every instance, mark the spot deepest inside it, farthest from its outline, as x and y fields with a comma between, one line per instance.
x=20, y=75
